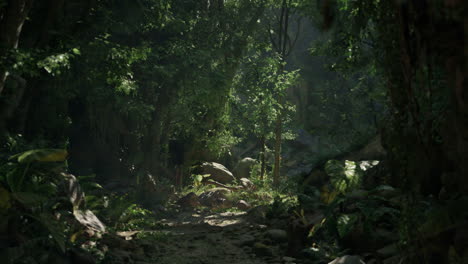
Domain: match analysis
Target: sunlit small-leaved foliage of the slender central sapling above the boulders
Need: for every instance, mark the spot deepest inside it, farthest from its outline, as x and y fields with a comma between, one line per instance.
x=259, y=87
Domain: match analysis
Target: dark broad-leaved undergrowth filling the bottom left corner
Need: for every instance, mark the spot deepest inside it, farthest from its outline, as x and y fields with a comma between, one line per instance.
x=32, y=202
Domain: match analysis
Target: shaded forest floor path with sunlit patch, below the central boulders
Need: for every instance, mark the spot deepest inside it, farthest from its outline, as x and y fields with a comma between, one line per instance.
x=203, y=237
